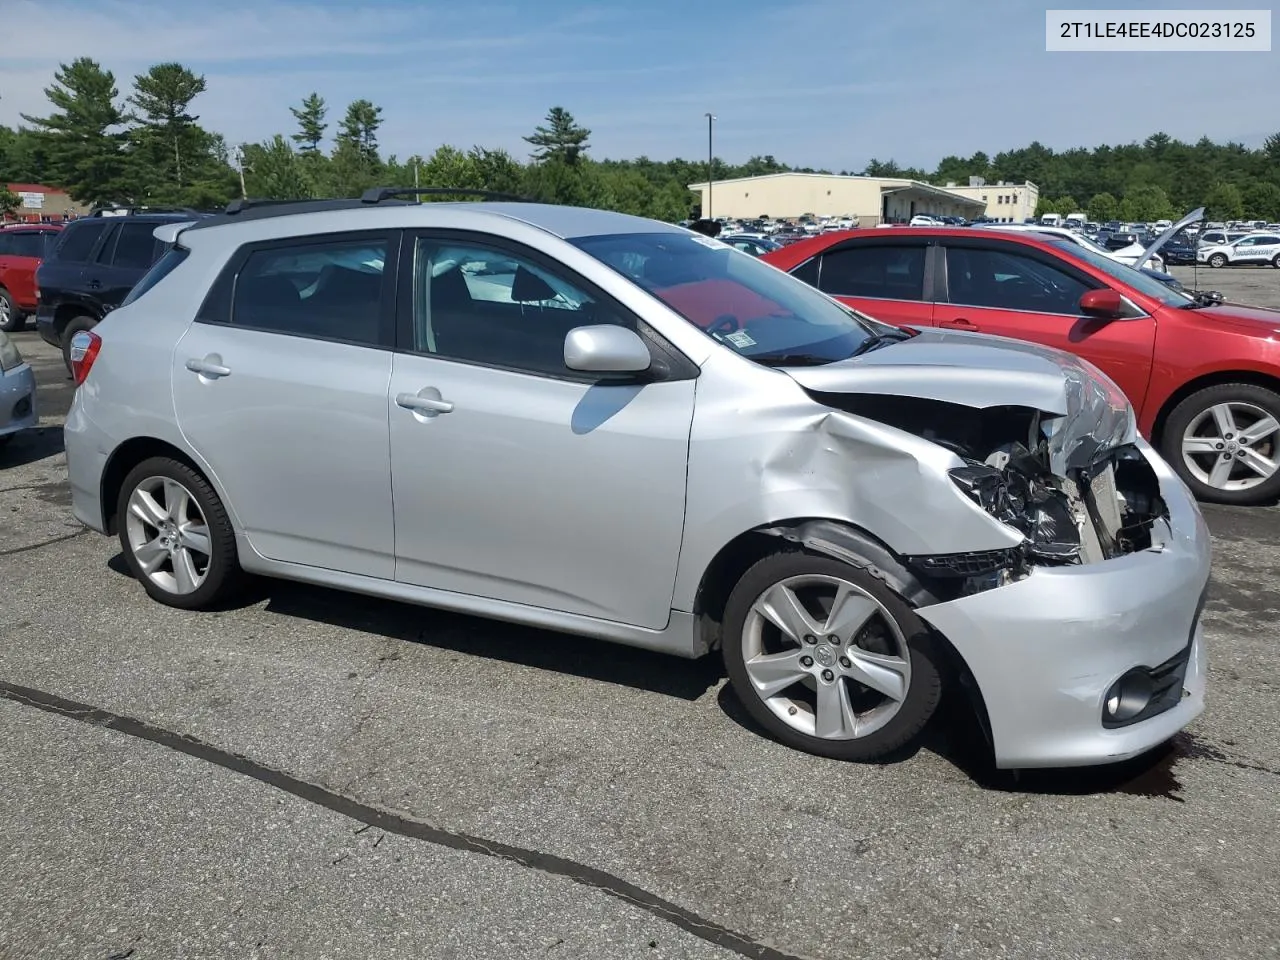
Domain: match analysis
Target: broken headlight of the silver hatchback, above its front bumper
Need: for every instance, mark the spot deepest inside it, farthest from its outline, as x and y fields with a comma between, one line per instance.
x=1017, y=496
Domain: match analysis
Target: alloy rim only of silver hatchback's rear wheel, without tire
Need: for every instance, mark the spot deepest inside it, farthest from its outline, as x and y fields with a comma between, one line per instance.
x=168, y=536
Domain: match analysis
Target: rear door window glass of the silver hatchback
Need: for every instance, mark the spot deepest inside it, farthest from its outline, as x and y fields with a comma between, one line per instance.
x=330, y=291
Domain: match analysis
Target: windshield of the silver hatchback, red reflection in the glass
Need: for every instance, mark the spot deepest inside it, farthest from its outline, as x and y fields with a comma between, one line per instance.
x=739, y=301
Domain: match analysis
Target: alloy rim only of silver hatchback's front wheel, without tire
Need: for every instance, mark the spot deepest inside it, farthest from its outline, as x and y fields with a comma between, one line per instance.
x=826, y=657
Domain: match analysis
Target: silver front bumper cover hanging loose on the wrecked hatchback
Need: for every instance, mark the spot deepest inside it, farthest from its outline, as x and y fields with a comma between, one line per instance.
x=1046, y=650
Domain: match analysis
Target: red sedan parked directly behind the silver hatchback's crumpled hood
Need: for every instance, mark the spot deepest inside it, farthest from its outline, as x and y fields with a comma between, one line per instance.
x=1203, y=376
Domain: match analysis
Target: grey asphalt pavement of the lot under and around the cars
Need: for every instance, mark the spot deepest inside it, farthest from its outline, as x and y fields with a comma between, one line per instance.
x=318, y=775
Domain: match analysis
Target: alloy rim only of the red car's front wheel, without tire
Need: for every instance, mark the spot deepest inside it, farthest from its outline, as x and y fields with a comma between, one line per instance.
x=1232, y=446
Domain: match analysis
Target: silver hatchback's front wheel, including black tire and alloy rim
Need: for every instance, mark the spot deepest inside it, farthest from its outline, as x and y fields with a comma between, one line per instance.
x=829, y=660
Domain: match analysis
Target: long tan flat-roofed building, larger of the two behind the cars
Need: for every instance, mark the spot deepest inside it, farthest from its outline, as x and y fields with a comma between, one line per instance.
x=871, y=200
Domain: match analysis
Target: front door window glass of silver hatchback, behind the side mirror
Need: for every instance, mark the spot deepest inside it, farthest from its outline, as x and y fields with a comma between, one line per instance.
x=483, y=305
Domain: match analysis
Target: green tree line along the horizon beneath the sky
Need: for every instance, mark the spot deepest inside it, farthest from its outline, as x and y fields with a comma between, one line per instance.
x=147, y=147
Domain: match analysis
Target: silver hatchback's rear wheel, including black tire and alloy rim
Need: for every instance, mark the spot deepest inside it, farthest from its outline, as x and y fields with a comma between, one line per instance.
x=176, y=536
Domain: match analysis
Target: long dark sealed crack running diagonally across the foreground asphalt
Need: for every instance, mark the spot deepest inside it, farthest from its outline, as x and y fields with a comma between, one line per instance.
x=396, y=824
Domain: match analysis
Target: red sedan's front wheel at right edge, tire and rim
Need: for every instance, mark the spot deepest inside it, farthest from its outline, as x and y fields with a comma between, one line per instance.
x=1226, y=444
